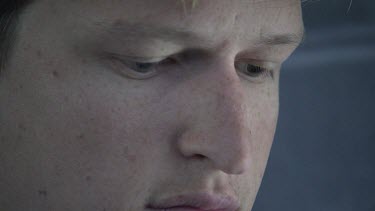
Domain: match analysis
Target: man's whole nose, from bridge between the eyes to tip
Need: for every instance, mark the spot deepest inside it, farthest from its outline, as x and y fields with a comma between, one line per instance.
x=218, y=129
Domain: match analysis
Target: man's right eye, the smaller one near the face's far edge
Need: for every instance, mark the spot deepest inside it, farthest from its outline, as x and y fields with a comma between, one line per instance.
x=254, y=72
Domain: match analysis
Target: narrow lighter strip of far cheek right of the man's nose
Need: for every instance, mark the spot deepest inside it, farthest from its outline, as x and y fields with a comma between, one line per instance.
x=263, y=105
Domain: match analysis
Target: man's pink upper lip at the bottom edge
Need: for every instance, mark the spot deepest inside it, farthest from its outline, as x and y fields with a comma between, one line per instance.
x=202, y=201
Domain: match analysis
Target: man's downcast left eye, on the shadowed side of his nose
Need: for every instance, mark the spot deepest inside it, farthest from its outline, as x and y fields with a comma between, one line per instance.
x=143, y=70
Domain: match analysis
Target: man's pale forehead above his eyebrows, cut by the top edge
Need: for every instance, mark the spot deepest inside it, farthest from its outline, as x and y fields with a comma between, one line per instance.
x=217, y=19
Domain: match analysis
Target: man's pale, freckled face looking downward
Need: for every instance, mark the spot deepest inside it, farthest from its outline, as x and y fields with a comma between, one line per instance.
x=86, y=125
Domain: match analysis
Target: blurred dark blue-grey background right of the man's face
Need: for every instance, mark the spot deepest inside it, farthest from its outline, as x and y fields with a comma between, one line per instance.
x=323, y=157
